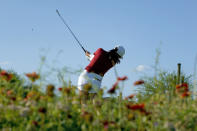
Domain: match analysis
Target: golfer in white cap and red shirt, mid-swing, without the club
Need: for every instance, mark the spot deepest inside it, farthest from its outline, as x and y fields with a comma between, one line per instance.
x=100, y=62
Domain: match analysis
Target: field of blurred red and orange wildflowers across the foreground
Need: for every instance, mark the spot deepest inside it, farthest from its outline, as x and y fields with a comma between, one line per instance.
x=161, y=104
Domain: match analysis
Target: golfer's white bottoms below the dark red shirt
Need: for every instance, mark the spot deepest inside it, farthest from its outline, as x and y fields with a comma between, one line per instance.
x=92, y=78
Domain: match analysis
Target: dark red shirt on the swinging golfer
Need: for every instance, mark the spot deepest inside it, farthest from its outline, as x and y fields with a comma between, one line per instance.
x=101, y=63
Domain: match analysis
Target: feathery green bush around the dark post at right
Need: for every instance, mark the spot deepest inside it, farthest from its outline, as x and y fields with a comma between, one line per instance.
x=163, y=83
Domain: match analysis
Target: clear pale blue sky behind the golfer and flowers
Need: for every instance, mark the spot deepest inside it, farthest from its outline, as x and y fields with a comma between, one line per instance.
x=27, y=26
